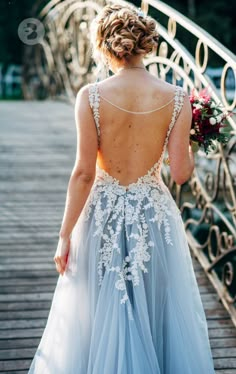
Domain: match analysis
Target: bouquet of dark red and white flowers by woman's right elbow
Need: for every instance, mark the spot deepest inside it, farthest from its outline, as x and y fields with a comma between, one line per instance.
x=207, y=122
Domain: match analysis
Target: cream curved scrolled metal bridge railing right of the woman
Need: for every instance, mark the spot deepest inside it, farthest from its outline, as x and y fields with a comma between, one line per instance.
x=208, y=201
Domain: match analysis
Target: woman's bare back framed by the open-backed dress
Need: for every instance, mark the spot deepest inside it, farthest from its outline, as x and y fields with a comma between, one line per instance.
x=130, y=144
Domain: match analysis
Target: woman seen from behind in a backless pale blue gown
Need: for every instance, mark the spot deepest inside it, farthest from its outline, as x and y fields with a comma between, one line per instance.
x=126, y=301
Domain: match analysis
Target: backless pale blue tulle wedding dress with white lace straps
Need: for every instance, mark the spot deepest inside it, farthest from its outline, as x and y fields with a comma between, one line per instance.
x=128, y=302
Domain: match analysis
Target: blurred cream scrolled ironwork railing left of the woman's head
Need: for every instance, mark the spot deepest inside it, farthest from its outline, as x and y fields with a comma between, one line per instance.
x=62, y=61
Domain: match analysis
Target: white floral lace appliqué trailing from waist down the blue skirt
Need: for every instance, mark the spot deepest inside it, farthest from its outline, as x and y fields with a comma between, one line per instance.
x=116, y=207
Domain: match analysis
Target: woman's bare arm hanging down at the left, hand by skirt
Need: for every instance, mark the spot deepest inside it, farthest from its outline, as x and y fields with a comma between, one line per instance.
x=82, y=176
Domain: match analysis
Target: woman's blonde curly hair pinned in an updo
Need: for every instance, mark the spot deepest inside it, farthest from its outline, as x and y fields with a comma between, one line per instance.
x=120, y=32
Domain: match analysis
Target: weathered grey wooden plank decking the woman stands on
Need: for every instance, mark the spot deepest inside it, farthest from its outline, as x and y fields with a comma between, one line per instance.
x=37, y=150
